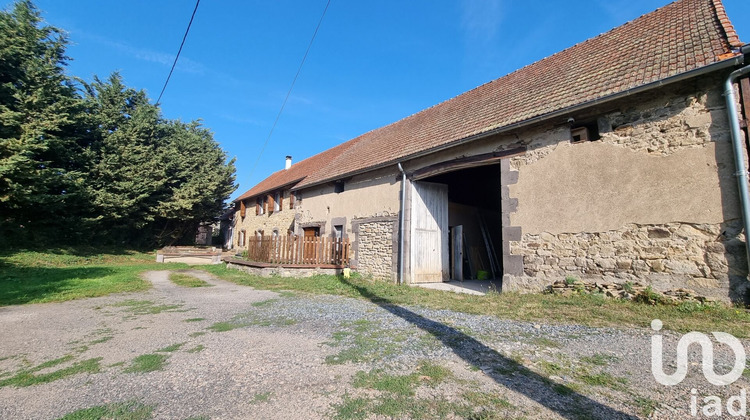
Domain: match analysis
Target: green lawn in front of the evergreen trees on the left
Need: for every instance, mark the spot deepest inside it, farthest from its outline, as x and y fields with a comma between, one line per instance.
x=64, y=274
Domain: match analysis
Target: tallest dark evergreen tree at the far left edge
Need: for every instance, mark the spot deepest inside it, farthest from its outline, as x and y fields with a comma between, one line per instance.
x=42, y=164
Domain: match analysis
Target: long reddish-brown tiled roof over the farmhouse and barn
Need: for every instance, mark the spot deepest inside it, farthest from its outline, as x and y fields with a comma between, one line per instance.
x=677, y=38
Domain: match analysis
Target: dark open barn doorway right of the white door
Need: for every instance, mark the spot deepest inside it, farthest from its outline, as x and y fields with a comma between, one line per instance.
x=472, y=242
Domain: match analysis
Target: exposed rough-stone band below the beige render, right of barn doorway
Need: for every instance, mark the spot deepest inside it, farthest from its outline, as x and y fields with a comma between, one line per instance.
x=704, y=257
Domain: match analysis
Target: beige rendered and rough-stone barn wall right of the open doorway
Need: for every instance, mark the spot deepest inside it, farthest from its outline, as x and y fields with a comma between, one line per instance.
x=654, y=200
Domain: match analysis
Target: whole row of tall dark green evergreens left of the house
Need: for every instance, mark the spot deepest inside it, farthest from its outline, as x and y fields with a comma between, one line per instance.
x=96, y=162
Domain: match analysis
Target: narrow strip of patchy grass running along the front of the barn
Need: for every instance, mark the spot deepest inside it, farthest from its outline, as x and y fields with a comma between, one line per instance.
x=591, y=310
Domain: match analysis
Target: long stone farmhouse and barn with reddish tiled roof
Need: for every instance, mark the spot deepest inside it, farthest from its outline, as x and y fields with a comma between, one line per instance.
x=613, y=159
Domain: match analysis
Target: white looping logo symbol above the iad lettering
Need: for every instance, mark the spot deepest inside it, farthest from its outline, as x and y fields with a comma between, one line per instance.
x=707, y=347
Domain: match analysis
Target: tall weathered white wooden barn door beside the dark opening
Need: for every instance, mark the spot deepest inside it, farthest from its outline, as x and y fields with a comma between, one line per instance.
x=429, y=233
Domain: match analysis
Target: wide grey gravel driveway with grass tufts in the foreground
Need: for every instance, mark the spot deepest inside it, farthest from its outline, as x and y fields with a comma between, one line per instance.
x=230, y=351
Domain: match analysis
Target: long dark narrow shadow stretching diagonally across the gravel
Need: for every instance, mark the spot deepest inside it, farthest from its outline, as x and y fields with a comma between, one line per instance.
x=506, y=372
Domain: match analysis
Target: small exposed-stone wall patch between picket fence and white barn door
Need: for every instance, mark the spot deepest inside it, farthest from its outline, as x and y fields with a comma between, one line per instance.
x=375, y=246
